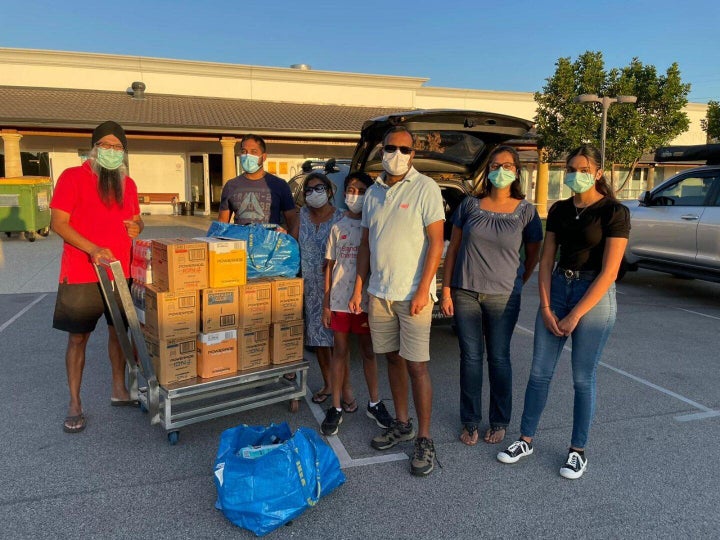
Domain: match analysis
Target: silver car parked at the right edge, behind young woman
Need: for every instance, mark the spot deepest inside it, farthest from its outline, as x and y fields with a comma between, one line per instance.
x=676, y=226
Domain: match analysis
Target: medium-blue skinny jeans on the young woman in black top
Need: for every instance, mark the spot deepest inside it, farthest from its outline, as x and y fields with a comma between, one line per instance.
x=588, y=341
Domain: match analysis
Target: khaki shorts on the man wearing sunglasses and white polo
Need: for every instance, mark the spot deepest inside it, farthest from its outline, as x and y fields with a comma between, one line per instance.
x=393, y=329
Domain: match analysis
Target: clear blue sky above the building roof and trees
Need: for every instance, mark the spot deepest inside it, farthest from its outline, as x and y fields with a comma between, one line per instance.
x=509, y=45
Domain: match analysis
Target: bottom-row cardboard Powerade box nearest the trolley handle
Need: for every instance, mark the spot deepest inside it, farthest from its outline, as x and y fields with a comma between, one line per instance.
x=174, y=360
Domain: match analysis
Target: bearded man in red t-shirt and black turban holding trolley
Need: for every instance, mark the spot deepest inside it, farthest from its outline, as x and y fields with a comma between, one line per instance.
x=95, y=210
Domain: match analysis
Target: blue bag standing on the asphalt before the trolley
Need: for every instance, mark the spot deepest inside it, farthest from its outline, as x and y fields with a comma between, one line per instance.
x=263, y=493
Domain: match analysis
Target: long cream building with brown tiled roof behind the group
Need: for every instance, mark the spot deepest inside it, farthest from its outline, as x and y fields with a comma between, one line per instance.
x=185, y=118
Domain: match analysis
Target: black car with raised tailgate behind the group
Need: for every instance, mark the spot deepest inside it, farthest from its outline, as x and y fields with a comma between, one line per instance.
x=451, y=146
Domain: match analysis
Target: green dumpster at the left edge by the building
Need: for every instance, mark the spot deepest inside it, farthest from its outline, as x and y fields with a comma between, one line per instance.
x=25, y=205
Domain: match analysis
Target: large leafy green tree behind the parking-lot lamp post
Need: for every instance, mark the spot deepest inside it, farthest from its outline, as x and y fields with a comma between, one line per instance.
x=655, y=120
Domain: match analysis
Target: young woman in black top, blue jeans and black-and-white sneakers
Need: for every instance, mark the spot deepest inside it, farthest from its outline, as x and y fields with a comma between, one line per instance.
x=577, y=298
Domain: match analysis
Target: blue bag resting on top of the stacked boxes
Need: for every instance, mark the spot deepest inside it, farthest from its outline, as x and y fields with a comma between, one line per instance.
x=269, y=252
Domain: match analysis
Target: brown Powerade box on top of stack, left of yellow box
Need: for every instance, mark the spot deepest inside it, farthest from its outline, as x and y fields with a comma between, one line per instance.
x=179, y=265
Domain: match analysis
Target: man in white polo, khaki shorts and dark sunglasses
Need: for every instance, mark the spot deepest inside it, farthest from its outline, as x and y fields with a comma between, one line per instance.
x=401, y=246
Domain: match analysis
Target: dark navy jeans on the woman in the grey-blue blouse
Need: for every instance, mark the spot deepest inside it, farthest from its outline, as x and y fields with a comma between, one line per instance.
x=485, y=321
